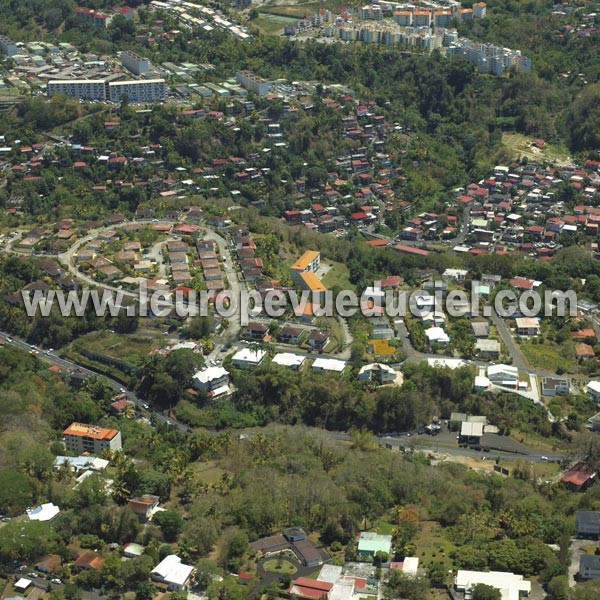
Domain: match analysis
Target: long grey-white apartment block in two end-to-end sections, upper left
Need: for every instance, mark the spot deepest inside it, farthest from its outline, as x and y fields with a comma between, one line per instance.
x=150, y=90
